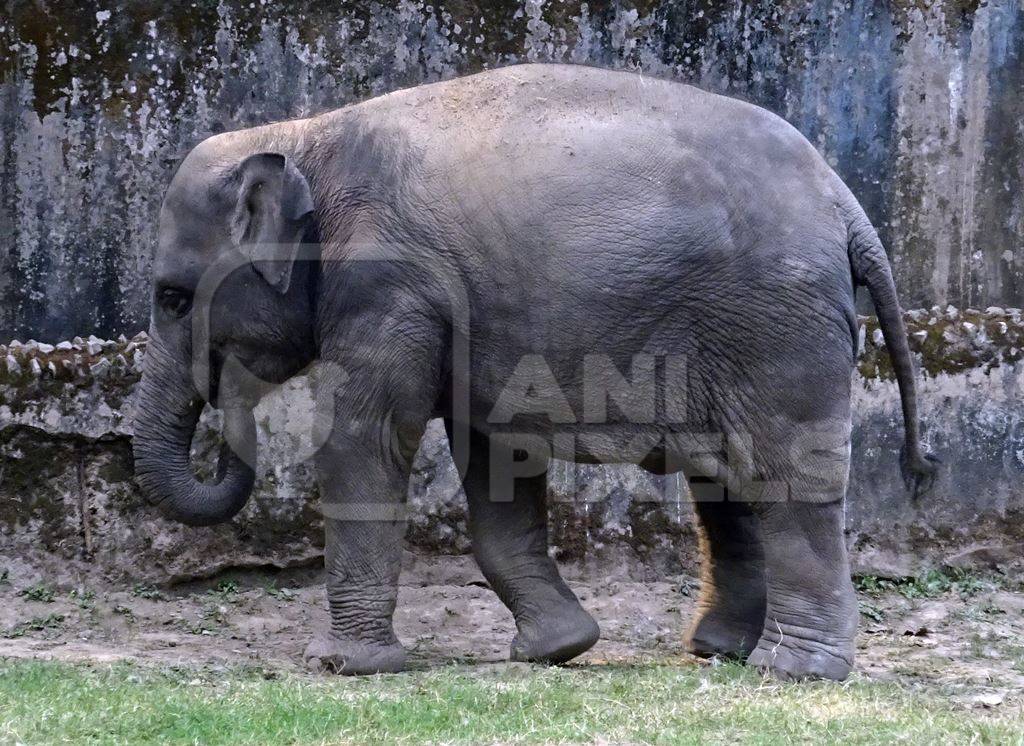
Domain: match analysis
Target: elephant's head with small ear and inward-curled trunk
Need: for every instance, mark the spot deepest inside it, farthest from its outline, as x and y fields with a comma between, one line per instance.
x=233, y=304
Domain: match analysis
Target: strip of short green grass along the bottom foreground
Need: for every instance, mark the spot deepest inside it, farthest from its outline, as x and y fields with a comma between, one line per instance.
x=46, y=703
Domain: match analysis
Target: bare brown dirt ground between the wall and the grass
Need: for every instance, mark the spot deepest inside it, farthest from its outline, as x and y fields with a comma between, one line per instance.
x=965, y=643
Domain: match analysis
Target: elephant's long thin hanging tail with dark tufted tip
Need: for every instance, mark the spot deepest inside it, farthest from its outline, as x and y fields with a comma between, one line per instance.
x=871, y=269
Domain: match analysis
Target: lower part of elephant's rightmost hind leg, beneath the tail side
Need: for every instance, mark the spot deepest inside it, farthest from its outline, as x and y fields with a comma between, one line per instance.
x=812, y=618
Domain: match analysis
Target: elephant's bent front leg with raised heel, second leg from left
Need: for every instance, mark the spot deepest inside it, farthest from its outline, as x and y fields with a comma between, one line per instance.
x=510, y=544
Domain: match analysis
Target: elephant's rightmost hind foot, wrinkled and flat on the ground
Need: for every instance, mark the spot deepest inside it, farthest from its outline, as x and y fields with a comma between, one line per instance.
x=789, y=657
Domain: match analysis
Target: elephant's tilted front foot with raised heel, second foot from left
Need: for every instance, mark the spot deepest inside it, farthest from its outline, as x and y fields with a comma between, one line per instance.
x=557, y=636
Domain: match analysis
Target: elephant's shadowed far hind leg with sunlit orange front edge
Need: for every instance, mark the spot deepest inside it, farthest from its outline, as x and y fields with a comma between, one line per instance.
x=732, y=609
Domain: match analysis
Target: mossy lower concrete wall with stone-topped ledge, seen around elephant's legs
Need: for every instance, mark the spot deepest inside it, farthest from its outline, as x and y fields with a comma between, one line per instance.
x=69, y=506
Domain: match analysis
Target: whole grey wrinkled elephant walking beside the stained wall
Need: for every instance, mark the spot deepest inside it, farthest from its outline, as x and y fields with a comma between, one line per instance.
x=560, y=261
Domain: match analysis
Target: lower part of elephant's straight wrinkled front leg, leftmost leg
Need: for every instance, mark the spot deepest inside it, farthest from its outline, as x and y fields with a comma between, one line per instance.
x=363, y=498
